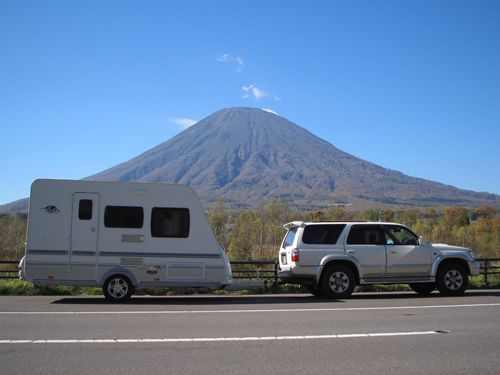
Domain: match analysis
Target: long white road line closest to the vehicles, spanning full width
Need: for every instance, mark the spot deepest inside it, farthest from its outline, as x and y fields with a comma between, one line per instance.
x=175, y=312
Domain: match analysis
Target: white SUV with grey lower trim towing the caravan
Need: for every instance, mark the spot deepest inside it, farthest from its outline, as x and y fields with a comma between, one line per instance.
x=331, y=258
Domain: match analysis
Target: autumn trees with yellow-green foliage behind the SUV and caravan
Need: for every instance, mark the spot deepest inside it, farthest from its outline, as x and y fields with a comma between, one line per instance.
x=256, y=234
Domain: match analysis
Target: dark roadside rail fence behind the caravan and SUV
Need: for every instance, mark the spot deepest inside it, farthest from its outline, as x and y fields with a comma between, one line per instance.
x=263, y=269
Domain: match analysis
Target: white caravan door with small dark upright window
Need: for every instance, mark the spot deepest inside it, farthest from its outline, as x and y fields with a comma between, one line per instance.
x=84, y=230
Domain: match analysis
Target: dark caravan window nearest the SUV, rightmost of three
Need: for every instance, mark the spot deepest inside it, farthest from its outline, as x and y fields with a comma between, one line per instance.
x=170, y=222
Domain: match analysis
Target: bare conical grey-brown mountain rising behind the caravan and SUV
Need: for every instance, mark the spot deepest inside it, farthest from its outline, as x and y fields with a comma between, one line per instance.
x=246, y=155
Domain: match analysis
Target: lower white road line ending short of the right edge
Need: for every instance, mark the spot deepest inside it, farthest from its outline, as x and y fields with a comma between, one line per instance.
x=220, y=339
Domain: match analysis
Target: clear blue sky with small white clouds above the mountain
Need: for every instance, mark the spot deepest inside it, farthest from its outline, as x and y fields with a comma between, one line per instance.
x=410, y=85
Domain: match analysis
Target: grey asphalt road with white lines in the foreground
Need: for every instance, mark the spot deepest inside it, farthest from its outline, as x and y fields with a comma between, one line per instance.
x=371, y=333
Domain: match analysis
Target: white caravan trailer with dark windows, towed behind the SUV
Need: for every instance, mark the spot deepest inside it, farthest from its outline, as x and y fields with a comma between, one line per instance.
x=121, y=236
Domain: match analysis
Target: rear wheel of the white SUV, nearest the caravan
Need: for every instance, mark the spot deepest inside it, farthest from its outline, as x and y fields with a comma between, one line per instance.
x=337, y=281
